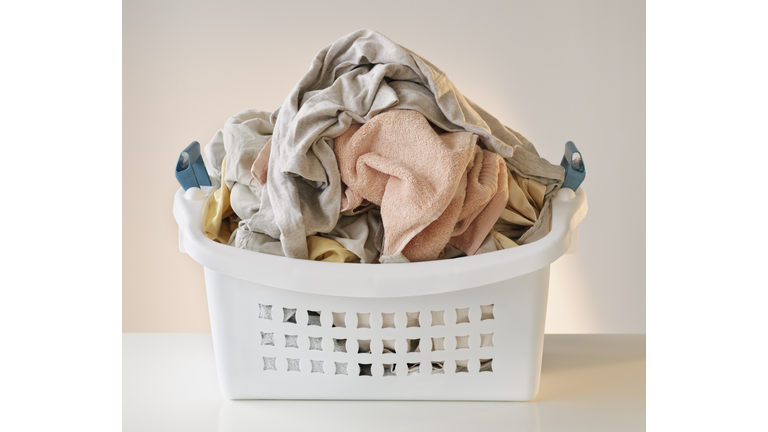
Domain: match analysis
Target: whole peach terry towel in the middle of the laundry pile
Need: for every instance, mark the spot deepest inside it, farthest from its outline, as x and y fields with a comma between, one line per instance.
x=425, y=180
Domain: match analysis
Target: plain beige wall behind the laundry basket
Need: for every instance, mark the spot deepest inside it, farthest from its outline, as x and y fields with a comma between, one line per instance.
x=553, y=70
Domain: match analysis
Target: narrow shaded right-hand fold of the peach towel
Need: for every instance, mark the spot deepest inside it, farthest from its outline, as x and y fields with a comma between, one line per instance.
x=486, y=196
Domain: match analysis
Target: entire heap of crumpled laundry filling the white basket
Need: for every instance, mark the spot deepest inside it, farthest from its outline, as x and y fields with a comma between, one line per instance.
x=375, y=156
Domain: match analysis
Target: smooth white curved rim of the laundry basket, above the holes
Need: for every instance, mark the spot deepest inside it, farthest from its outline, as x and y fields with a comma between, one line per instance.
x=382, y=280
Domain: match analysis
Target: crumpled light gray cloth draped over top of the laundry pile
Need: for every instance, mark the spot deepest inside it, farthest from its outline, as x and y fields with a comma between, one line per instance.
x=357, y=77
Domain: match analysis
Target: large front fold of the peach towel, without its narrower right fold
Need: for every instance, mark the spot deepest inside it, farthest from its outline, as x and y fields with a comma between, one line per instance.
x=398, y=161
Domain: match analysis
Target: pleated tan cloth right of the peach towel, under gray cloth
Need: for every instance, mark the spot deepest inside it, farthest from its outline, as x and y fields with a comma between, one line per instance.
x=523, y=208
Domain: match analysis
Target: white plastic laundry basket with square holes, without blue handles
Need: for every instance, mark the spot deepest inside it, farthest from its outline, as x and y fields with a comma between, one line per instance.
x=468, y=328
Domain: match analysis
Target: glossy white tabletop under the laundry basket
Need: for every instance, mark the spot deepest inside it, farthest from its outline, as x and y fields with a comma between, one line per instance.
x=588, y=383
